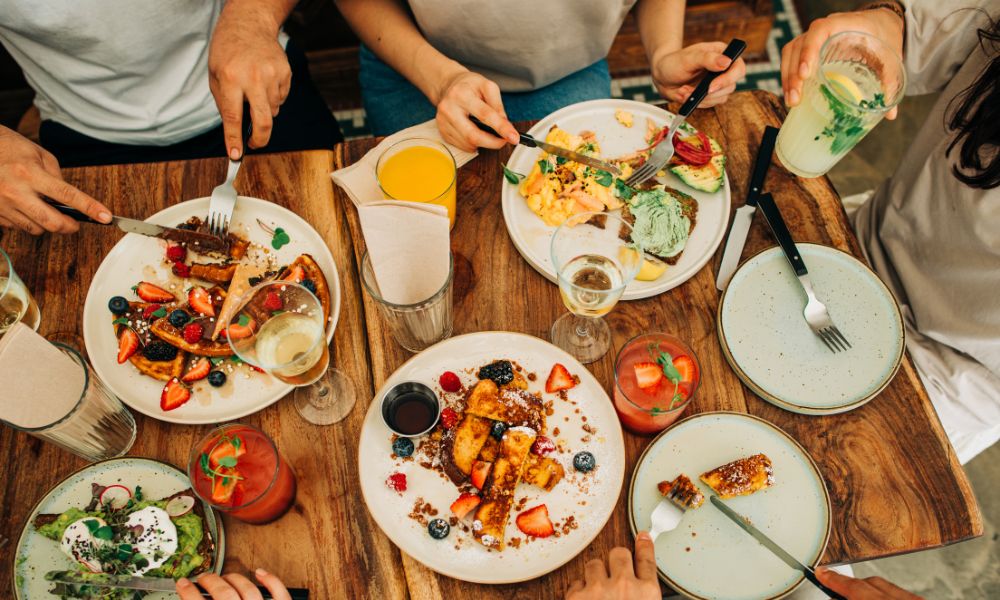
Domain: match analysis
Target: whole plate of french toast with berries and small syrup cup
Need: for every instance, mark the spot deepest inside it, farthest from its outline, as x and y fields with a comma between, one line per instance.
x=520, y=470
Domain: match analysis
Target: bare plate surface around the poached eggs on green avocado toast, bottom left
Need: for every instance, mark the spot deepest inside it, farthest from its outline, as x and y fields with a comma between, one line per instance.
x=36, y=555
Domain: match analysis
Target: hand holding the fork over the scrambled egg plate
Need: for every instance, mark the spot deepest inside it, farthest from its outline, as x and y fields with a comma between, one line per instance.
x=676, y=73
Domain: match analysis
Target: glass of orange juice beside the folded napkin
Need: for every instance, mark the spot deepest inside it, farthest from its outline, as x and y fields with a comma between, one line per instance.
x=418, y=170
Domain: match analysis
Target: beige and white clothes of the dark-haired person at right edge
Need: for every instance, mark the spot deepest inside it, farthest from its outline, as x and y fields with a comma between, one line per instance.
x=936, y=241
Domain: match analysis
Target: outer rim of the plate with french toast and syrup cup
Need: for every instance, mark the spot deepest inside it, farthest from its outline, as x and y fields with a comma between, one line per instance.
x=619, y=444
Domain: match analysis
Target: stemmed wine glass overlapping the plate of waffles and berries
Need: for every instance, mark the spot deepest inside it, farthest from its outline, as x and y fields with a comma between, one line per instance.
x=279, y=327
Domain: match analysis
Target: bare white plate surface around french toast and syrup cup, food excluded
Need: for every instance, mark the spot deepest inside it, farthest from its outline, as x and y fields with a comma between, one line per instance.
x=590, y=499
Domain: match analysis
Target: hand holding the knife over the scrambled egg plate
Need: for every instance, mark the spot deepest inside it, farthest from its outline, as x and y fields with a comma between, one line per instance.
x=468, y=93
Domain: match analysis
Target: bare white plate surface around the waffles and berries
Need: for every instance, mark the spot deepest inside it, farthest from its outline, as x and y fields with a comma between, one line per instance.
x=139, y=258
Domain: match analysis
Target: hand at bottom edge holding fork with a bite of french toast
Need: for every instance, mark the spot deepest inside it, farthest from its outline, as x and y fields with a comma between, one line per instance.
x=626, y=581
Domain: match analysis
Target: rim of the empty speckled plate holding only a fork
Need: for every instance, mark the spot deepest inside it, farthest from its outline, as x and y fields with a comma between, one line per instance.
x=787, y=404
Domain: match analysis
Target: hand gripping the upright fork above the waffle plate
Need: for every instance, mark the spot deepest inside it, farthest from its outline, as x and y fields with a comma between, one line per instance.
x=246, y=63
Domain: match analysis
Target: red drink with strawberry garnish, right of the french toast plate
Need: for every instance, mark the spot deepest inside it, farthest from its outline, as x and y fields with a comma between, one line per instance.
x=651, y=410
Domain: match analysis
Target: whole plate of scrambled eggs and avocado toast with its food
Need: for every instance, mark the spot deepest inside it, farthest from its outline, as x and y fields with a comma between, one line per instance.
x=679, y=218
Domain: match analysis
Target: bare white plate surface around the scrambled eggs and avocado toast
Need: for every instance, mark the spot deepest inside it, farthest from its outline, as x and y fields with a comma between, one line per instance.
x=531, y=235
